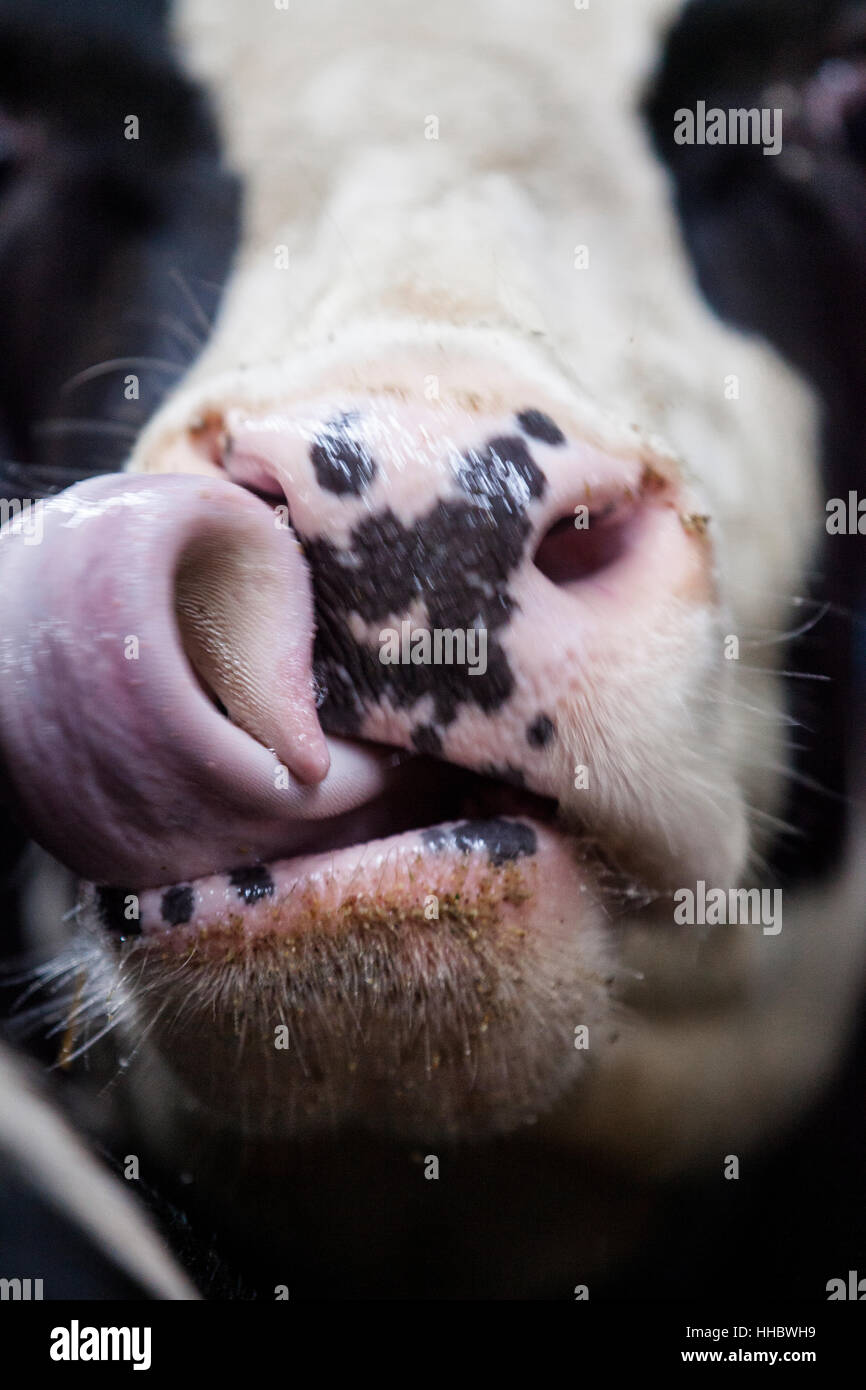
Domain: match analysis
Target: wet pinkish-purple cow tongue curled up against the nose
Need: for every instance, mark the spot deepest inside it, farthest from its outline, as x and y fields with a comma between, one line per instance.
x=158, y=718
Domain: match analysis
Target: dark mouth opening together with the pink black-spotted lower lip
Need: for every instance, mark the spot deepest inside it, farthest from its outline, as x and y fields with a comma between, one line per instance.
x=439, y=846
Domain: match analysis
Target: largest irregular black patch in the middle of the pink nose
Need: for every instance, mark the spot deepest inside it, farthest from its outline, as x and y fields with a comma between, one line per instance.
x=454, y=565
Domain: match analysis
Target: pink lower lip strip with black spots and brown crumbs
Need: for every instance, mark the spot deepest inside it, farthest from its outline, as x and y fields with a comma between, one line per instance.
x=507, y=872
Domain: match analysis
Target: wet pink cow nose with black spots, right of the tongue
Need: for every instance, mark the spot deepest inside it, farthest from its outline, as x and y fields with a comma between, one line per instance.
x=475, y=573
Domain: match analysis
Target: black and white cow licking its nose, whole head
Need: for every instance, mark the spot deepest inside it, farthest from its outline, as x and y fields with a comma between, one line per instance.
x=412, y=710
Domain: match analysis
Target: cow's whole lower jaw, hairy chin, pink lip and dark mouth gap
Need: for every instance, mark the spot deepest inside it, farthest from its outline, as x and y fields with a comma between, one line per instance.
x=429, y=964
